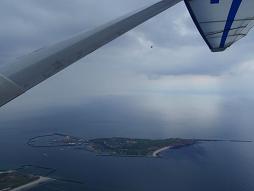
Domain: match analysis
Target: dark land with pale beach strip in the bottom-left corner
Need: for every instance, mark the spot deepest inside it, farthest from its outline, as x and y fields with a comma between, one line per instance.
x=15, y=181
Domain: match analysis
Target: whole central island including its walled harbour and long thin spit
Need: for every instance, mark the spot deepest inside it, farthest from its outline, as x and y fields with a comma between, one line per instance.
x=117, y=146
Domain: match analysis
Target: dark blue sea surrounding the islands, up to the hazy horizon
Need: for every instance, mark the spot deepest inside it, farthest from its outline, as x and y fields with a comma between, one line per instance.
x=220, y=166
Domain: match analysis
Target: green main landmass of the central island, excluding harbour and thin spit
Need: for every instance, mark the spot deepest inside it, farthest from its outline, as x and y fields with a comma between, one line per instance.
x=135, y=147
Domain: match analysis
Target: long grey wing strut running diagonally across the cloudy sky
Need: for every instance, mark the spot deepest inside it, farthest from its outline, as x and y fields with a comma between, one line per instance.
x=18, y=77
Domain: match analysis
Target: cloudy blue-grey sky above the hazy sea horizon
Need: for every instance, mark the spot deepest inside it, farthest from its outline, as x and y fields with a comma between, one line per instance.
x=179, y=62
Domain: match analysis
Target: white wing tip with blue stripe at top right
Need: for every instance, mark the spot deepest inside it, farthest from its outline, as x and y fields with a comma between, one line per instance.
x=222, y=22
